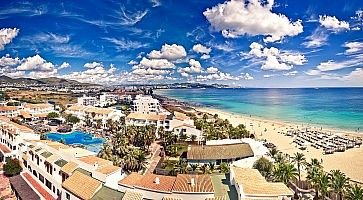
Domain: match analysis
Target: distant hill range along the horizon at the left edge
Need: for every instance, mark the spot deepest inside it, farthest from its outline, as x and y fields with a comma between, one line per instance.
x=42, y=81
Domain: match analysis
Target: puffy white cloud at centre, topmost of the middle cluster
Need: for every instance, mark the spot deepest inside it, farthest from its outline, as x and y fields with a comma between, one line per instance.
x=169, y=52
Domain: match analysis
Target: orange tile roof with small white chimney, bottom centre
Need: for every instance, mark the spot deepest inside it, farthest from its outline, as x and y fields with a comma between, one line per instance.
x=184, y=184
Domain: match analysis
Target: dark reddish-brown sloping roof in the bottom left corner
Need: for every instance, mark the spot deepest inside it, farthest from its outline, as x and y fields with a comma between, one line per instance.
x=22, y=188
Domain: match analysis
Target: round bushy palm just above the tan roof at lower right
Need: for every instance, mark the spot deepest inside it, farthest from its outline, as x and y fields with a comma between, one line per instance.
x=285, y=172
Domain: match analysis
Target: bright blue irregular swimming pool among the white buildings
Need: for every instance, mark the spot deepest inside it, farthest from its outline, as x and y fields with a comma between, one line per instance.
x=79, y=137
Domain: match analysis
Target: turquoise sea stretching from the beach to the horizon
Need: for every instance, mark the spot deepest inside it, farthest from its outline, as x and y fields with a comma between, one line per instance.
x=340, y=108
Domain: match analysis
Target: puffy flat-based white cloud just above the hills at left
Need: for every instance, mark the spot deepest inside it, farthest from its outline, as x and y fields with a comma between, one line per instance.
x=36, y=63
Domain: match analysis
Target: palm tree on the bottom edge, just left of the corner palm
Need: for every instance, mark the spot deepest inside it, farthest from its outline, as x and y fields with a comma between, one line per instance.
x=339, y=182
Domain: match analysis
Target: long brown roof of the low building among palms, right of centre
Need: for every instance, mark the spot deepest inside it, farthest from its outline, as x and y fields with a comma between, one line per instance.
x=217, y=152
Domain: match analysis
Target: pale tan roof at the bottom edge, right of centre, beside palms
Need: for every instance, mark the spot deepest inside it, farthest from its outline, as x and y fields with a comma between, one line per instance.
x=254, y=184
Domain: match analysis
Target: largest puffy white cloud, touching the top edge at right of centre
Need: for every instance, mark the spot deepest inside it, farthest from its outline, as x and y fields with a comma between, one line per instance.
x=238, y=18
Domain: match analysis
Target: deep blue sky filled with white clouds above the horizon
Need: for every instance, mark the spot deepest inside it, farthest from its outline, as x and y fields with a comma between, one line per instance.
x=241, y=43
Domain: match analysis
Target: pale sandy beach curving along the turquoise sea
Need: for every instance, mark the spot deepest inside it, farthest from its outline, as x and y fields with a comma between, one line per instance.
x=350, y=162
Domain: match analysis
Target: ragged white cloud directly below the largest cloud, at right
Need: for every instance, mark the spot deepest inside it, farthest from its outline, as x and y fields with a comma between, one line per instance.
x=273, y=59
